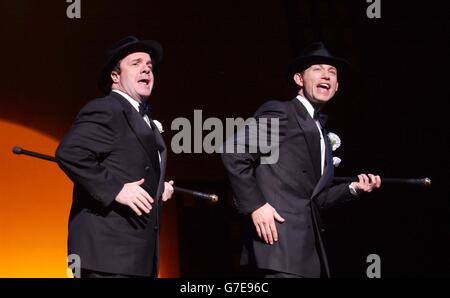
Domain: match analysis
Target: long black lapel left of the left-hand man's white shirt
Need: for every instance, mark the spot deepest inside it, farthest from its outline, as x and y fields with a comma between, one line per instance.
x=144, y=134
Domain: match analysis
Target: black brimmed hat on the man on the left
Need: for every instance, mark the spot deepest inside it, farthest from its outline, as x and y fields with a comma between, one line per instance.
x=121, y=49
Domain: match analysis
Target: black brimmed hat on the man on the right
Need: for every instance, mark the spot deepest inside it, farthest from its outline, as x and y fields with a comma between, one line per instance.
x=316, y=53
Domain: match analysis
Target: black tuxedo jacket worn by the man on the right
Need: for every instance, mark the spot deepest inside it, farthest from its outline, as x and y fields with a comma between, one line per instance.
x=293, y=185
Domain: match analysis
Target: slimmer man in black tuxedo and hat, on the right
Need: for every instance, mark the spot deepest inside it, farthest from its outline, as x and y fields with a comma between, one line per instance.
x=282, y=199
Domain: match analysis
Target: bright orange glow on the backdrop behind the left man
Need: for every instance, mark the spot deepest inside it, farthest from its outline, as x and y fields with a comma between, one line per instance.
x=35, y=199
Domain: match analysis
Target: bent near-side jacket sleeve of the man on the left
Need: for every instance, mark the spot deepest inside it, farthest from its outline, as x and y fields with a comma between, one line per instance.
x=82, y=150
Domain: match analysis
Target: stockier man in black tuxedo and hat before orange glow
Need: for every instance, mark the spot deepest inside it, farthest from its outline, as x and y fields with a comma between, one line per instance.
x=116, y=158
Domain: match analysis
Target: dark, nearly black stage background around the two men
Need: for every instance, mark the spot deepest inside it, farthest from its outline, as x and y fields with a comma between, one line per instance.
x=227, y=58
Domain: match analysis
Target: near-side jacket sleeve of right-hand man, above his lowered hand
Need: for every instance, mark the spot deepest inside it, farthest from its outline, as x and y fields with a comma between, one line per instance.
x=243, y=153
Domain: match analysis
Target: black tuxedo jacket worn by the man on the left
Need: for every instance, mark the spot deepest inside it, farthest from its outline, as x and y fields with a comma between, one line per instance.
x=109, y=145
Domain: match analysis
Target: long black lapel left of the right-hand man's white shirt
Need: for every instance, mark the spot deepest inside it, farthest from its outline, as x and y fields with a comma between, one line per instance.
x=311, y=133
